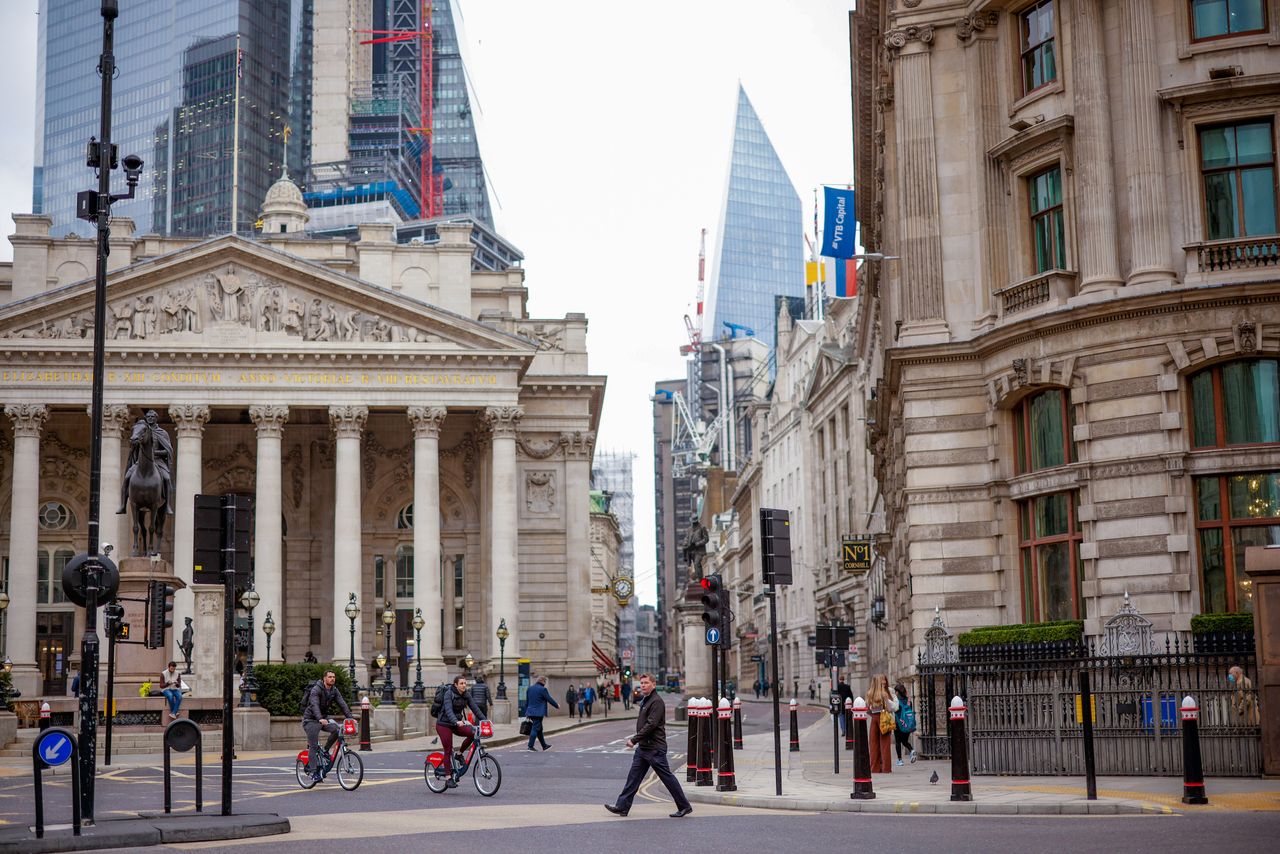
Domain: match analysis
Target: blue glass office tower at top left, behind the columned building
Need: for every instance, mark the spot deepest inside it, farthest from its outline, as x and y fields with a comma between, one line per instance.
x=175, y=107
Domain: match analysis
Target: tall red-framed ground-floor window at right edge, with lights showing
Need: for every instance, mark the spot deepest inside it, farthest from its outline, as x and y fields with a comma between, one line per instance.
x=1233, y=513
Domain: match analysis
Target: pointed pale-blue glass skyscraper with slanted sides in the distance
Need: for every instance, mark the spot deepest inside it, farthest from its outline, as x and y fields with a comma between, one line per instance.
x=758, y=250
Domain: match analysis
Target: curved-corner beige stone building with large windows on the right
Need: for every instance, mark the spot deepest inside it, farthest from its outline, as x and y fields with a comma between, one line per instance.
x=1080, y=385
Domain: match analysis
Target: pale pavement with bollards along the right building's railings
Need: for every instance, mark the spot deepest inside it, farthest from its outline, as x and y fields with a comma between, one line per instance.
x=810, y=784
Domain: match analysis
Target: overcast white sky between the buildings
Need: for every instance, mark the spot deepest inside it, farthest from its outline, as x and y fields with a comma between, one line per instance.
x=606, y=133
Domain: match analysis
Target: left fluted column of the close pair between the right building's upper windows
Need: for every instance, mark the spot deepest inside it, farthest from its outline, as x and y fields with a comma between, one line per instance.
x=1095, y=204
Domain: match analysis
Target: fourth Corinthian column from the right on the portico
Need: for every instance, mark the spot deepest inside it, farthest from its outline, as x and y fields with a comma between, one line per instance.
x=268, y=531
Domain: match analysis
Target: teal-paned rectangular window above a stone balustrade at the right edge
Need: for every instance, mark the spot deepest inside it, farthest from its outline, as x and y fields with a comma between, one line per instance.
x=1238, y=167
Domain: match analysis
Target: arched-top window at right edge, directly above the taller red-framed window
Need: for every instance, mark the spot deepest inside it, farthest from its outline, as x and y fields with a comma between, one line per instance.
x=1236, y=404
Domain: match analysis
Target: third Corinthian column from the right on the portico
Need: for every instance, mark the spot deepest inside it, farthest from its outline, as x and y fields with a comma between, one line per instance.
x=349, y=423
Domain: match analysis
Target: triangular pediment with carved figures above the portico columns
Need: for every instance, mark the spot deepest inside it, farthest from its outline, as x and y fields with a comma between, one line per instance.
x=232, y=294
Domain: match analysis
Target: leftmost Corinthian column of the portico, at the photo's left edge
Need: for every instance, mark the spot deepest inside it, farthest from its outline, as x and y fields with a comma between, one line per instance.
x=29, y=421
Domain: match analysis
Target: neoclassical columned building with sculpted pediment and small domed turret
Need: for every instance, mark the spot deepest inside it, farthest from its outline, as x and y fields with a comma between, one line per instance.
x=408, y=432
